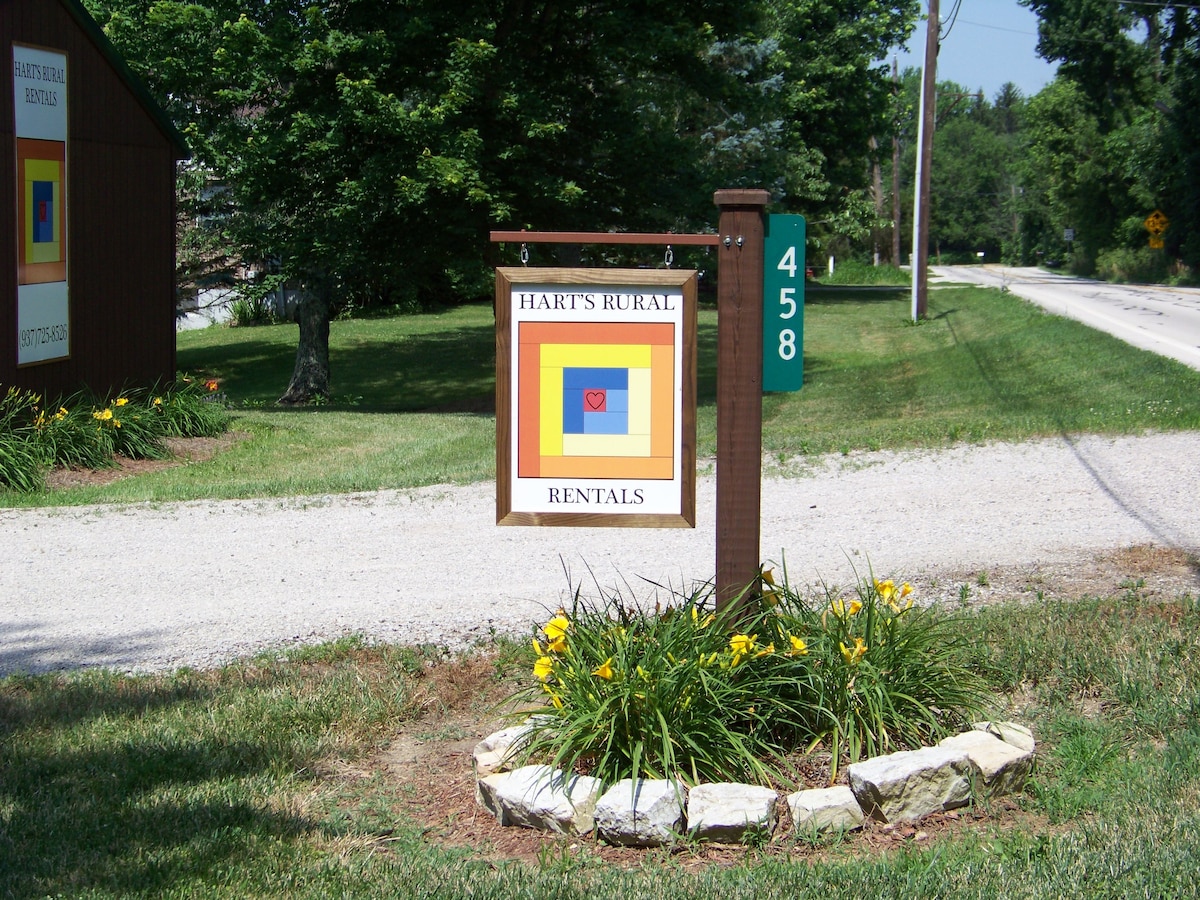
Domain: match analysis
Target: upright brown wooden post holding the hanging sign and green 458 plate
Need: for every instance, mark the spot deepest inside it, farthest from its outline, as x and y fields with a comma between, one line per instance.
x=739, y=391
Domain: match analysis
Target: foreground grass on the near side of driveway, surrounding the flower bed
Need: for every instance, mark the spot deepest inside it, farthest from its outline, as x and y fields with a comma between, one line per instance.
x=262, y=779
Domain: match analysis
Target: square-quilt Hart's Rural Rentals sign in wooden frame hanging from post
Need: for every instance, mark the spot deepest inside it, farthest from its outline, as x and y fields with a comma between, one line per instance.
x=571, y=344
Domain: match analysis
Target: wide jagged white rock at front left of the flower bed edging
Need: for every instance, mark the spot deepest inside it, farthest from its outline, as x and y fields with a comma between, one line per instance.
x=541, y=797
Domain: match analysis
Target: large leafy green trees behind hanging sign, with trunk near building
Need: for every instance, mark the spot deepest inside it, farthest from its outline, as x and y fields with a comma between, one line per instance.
x=368, y=147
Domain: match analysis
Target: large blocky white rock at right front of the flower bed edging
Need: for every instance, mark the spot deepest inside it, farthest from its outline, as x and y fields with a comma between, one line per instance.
x=908, y=785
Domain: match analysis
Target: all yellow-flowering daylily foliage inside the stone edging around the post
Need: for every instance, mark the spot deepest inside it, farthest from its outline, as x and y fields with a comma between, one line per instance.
x=733, y=695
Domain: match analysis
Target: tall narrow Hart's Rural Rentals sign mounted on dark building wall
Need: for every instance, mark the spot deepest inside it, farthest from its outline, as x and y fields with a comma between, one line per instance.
x=40, y=119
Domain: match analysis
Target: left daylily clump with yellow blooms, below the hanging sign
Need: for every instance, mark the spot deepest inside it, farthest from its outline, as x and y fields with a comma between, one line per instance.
x=633, y=693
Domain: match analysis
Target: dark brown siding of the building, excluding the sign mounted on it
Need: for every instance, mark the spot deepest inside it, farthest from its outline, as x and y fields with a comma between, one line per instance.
x=121, y=219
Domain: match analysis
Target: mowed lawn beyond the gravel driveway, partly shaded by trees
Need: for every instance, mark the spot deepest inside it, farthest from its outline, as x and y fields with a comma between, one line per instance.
x=413, y=397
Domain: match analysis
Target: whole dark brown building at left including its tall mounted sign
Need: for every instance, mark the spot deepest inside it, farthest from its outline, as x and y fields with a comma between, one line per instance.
x=87, y=209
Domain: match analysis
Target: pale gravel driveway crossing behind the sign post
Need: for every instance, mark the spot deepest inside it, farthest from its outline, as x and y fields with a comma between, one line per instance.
x=159, y=586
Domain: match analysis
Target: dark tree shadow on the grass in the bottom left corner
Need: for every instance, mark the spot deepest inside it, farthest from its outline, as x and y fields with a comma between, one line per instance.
x=106, y=789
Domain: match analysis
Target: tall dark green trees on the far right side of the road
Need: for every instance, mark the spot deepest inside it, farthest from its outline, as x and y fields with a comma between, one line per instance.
x=1131, y=68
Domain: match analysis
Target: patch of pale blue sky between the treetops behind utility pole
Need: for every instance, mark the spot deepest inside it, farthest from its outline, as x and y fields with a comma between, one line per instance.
x=991, y=43
